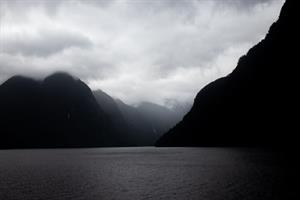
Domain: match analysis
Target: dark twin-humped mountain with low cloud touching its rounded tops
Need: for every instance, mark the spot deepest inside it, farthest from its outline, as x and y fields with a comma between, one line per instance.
x=59, y=111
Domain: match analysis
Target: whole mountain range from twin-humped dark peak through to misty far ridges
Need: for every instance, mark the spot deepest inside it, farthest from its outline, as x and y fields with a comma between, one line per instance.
x=62, y=111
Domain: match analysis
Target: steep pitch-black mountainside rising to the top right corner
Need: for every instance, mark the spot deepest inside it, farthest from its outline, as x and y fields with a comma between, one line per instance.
x=255, y=105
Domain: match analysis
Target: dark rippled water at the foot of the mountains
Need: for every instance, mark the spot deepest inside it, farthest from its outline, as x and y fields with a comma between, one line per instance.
x=141, y=173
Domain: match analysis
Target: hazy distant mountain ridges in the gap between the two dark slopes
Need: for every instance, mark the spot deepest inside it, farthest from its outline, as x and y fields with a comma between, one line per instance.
x=142, y=124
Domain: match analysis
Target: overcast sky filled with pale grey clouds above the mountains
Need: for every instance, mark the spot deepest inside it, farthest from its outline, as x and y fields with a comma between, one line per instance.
x=135, y=50
